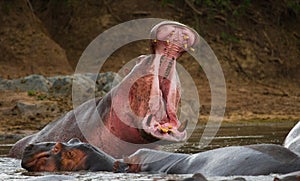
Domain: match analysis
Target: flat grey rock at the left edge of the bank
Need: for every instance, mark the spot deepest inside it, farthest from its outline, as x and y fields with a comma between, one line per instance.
x=29, y=83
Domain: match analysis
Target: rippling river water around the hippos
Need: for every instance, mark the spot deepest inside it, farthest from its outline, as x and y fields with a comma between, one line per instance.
x=229, y=134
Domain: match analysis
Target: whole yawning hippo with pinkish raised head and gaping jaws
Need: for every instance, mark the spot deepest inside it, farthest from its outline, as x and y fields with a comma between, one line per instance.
x=139, y=110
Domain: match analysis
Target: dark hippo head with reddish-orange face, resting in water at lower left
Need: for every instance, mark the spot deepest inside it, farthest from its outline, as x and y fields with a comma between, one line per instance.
x=72, y=156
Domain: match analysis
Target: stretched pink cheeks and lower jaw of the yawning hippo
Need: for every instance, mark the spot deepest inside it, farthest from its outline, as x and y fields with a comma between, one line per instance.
x=161, y=120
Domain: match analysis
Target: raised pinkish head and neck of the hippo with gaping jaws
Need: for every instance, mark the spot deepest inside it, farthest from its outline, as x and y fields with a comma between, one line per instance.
x=143, y=107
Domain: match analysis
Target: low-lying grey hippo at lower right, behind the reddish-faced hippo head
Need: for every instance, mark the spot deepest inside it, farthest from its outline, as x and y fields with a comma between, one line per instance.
x=260, y=159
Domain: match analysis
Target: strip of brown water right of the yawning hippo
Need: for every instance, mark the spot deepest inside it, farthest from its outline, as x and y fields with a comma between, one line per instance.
x=231, y=134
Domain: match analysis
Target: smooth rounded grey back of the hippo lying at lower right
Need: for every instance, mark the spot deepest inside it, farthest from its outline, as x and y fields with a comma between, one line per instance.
x=260, y=159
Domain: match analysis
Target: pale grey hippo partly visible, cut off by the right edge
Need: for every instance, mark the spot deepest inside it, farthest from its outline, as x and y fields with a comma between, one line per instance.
x=292, y=141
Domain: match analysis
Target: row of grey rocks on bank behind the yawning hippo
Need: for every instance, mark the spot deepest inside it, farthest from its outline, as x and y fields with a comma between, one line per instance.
x=86, y=84
